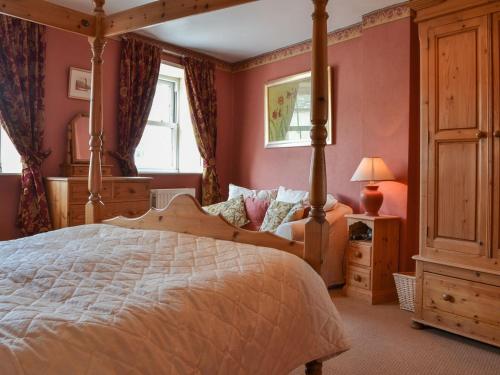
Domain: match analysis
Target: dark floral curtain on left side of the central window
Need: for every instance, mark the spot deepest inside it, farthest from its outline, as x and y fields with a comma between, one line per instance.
x=139, y=70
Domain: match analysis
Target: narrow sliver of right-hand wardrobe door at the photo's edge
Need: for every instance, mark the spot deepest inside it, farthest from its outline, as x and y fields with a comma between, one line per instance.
x=496, y=139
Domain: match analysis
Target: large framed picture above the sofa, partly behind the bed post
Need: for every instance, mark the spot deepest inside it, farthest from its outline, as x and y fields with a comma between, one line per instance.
x=288, y=111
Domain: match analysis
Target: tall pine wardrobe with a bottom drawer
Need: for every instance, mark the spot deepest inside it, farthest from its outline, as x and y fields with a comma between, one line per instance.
x=458, y=268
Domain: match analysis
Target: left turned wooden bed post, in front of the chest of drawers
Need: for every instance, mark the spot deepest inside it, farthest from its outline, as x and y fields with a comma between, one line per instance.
x=94, y=207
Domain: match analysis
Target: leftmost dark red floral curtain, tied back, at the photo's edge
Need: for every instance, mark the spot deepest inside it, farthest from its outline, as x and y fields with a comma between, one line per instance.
x=22, y=75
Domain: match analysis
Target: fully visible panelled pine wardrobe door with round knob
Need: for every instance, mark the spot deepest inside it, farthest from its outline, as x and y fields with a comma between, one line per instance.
x=457, y=124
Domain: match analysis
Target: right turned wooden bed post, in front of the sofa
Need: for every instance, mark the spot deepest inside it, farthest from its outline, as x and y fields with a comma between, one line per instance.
x=317, y=228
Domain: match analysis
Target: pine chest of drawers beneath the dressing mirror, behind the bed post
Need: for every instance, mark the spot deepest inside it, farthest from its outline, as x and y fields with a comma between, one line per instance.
x=122, y=196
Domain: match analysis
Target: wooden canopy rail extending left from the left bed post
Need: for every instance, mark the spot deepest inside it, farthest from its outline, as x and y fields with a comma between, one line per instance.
x=49, y=14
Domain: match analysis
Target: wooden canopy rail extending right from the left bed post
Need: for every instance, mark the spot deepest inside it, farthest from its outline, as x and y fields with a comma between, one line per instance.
x=161, y=11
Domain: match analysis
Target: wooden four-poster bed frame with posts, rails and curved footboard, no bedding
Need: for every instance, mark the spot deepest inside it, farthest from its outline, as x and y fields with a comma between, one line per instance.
x=184, y=215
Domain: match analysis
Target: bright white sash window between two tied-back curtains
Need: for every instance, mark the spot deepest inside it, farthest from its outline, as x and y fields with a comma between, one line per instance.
x=168, y=144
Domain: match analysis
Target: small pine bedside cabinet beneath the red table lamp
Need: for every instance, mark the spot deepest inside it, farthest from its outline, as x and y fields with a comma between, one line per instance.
x=371, y=262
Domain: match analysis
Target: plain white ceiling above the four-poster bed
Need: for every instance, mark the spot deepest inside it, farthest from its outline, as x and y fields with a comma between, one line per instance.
x=247, y=30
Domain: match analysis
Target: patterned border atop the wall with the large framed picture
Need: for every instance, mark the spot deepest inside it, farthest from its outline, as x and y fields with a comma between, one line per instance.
x=376, y=18
